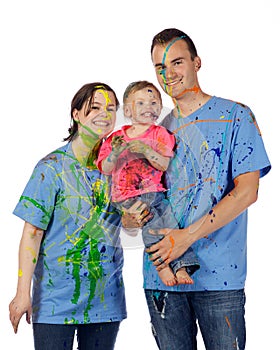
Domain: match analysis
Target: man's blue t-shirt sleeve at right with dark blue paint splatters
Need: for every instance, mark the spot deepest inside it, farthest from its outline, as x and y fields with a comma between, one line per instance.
x=248, y=152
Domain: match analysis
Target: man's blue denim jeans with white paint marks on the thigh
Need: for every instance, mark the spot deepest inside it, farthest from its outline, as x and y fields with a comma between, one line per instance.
x=219, y=314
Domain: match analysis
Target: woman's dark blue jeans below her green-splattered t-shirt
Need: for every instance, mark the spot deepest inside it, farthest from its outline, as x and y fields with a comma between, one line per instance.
x=92, y=336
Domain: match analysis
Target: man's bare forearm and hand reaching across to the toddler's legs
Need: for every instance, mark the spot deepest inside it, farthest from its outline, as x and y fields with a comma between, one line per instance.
x=176, y=242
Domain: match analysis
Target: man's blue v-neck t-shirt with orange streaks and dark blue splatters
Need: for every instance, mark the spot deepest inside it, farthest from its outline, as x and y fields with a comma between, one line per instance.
x=215, y=144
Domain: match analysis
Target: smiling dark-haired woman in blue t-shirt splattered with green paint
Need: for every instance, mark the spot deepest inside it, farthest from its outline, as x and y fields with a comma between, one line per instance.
x=70, y=242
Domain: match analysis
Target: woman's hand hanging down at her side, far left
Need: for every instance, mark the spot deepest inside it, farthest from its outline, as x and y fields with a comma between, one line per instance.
x=18, y=307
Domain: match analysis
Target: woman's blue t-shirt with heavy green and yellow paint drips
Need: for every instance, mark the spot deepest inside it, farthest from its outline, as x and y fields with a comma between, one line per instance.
x=78, y=276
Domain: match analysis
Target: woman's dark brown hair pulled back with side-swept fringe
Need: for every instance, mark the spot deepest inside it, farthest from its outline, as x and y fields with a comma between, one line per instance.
x=85, y=95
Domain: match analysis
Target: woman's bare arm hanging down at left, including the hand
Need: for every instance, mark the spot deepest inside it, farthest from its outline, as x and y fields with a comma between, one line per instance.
x=28, y=254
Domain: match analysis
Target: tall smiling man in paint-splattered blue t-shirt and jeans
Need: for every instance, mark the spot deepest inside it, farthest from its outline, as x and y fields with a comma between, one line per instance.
x=212, y=180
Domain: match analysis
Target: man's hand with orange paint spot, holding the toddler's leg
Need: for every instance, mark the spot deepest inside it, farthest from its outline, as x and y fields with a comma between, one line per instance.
x=173, y=245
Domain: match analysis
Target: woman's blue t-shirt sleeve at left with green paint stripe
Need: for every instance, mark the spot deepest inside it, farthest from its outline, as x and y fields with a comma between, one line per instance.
x=37, y=202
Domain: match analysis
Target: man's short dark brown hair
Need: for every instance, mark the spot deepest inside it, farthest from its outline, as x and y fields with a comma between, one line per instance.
x=168, y=35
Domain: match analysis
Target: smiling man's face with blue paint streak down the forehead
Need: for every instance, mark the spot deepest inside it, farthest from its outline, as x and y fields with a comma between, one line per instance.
x=176, y=71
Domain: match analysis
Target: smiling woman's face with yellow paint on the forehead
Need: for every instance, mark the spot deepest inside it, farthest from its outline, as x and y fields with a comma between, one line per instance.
x=97, y=119
